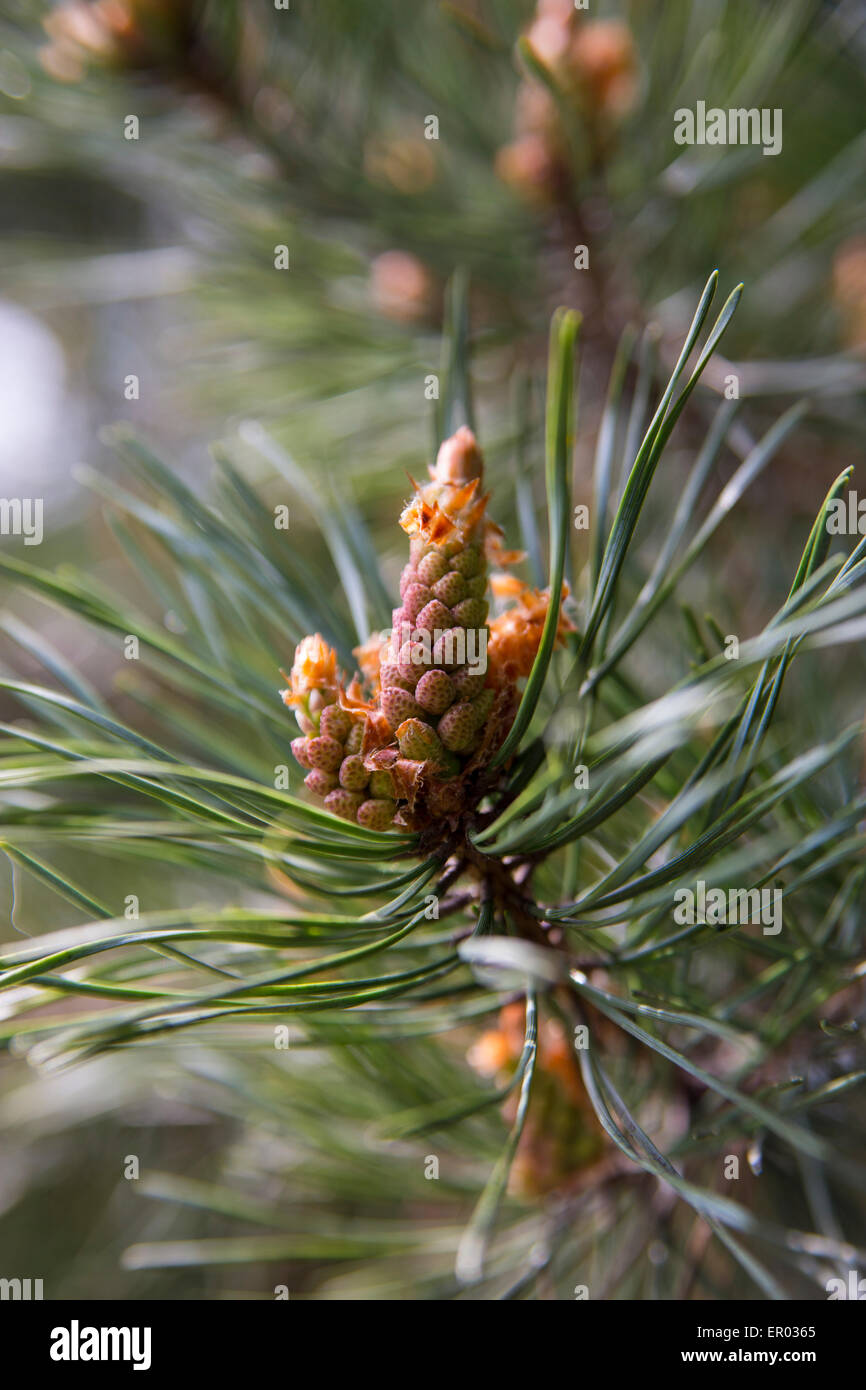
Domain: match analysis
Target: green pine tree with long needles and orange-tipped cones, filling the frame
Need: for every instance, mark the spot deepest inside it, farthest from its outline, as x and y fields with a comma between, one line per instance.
x=523, y=956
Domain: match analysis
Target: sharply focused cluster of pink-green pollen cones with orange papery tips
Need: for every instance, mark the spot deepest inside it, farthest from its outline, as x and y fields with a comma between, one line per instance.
x=409, y=740
